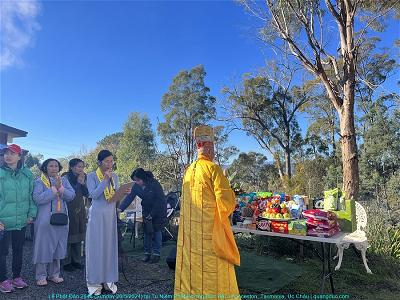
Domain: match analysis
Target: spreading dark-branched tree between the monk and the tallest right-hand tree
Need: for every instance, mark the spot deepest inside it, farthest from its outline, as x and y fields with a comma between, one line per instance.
x=268, y=113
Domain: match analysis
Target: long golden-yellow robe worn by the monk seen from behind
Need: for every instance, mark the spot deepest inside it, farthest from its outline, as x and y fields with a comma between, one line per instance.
x=206, y=249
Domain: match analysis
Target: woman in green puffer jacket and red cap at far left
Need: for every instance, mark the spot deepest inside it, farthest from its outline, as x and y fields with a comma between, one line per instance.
x=17, y=210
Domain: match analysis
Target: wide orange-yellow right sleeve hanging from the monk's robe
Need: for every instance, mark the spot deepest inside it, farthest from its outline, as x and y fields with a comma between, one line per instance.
x=223, y=240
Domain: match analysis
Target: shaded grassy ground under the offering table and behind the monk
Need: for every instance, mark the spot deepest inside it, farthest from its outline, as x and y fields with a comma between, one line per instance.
x=280, y=271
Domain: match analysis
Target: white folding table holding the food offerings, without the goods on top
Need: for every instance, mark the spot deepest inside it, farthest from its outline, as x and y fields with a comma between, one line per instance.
x=326, y=250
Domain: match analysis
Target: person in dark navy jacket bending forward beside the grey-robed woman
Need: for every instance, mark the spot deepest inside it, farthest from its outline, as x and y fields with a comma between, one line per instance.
x=154, y=208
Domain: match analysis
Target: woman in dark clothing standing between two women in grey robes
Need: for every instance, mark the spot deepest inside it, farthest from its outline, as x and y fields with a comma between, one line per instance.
x=76, y=215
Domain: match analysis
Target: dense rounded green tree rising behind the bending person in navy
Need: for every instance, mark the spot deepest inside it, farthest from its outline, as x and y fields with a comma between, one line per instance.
x=137, y=146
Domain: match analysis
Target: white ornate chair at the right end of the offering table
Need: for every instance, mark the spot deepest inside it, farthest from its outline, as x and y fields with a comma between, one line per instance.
x=358, y=238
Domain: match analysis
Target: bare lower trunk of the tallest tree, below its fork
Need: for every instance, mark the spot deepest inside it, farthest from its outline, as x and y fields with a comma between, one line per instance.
x=349, y=145
